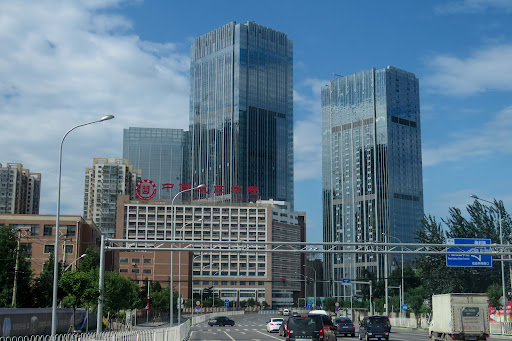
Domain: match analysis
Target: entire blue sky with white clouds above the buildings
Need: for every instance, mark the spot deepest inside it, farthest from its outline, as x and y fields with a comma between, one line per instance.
x=63, y=63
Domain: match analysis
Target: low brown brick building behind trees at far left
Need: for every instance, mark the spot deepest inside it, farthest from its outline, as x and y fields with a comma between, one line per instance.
x=37, y=237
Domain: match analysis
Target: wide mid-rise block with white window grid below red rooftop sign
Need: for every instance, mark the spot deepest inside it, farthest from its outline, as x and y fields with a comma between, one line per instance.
x=234, y=272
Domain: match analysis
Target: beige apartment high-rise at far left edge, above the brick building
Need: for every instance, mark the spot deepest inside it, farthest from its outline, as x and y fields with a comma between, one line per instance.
x=20, y=190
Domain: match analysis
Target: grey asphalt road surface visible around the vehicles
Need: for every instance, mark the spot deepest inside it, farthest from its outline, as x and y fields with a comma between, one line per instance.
x=253, y=327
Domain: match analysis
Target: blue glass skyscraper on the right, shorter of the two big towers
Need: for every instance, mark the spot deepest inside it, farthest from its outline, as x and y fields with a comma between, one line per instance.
x=371, y=167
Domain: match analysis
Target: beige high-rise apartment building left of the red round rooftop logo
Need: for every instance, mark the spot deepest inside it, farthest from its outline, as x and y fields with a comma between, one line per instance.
x=104, y=181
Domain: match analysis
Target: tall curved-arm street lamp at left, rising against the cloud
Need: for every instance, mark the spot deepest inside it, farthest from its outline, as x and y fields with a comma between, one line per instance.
x=56, y=247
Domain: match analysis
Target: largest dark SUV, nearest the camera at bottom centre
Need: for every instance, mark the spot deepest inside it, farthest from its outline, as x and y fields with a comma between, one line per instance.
x=311, y=327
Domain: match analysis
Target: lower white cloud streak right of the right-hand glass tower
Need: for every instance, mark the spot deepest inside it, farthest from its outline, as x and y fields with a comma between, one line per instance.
x=494, y=137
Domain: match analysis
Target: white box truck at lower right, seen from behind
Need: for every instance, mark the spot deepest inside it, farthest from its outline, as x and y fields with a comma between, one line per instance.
x=459, y=317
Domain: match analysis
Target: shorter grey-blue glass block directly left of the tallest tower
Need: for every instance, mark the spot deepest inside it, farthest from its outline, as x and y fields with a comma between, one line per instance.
x=161, y=154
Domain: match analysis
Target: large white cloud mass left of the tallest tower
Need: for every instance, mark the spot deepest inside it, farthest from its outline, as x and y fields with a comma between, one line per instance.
x=64, y=63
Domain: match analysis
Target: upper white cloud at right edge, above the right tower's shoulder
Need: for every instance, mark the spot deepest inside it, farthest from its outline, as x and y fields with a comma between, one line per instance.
x=485, y=70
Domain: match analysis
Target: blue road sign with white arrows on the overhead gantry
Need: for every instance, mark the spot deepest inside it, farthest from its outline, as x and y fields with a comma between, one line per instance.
x=466, y=260
